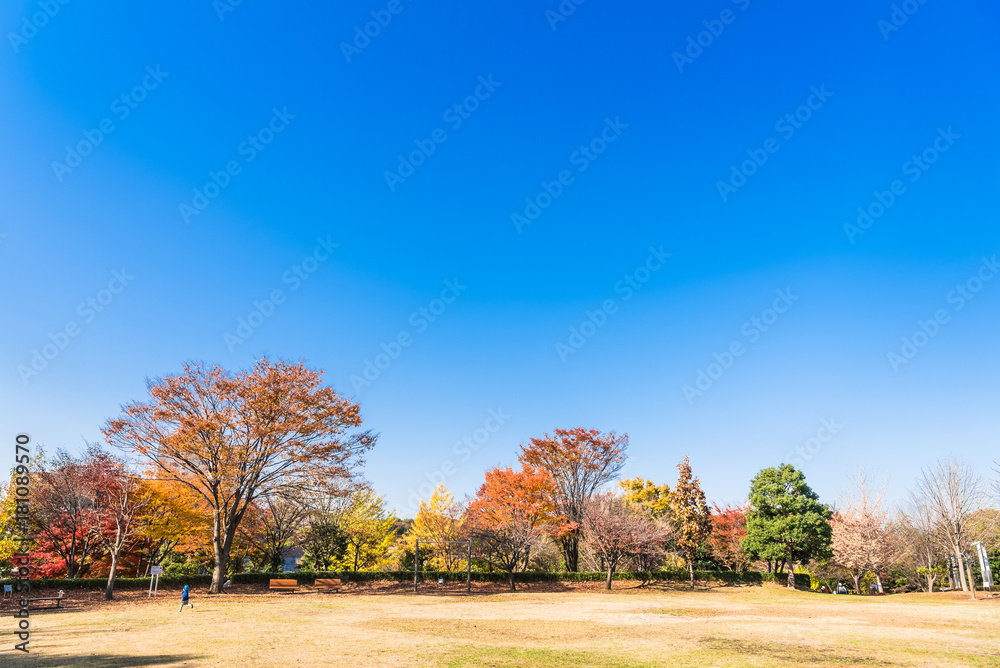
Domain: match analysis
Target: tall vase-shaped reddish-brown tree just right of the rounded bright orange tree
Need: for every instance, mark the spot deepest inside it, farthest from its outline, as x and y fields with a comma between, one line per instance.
x=579, y=462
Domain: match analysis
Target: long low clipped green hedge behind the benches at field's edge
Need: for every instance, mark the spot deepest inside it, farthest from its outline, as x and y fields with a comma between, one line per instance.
x=303, y=577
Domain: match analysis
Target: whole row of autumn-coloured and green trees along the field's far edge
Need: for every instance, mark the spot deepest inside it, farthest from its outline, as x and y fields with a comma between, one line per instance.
x=234, y=471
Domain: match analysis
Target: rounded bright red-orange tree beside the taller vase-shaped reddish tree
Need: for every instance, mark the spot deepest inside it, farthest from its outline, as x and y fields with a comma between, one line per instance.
x=511, y=511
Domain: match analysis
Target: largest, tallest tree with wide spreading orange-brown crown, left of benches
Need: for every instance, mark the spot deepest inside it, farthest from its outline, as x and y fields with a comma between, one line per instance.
x=233, y=437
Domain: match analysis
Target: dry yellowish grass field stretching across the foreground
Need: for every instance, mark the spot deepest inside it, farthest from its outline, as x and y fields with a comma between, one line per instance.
x=659, y=625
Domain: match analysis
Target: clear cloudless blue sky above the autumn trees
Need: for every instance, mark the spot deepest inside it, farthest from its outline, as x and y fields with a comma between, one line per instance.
x=641, y=139
